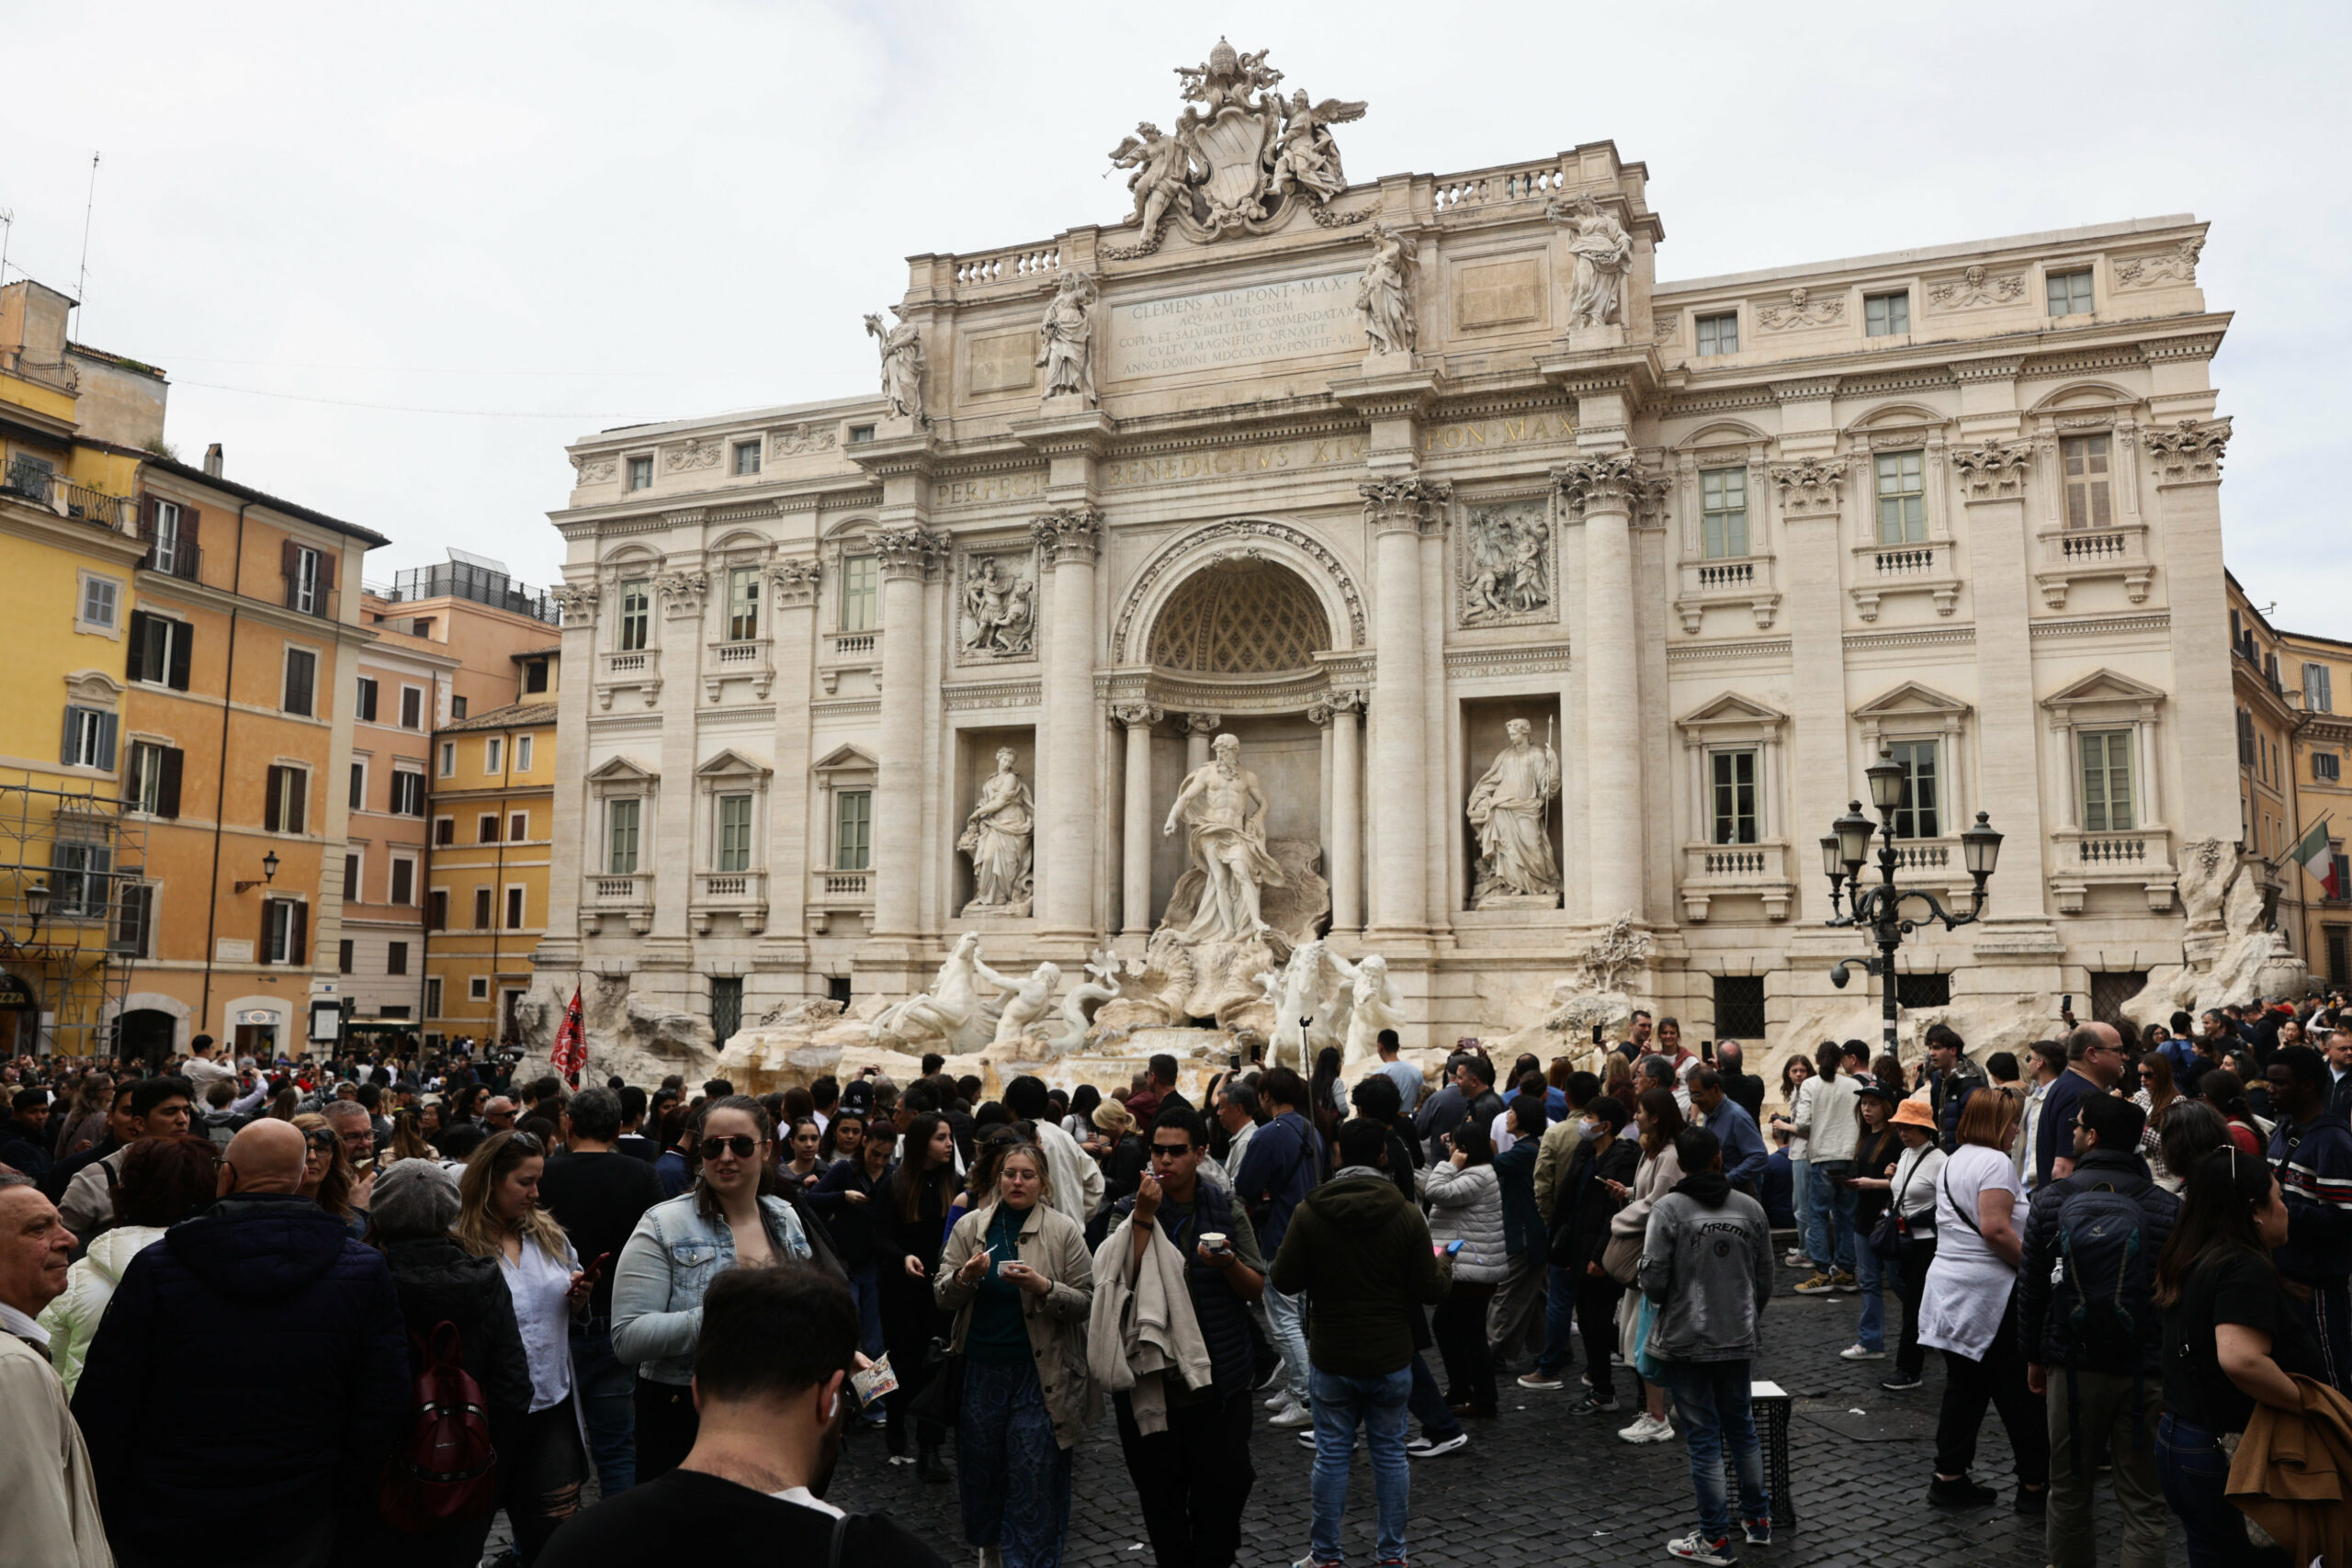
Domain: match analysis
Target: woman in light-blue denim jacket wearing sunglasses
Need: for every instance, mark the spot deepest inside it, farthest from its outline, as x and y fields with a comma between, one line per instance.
x=733, y=1214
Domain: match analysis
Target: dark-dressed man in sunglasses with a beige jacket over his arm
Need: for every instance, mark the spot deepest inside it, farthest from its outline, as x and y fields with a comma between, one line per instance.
x=1194, y=1475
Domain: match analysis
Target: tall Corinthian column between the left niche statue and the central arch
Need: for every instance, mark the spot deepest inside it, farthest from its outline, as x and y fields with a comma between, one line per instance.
x=1069, y=798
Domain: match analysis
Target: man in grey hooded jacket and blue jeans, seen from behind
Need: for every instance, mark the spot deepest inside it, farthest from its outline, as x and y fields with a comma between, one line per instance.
x=1706, y=1271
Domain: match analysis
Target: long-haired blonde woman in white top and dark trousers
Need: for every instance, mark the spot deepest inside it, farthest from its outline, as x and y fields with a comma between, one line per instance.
x=500, y=1217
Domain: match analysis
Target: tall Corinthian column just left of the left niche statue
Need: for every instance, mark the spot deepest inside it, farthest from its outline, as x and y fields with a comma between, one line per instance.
x=907, y=558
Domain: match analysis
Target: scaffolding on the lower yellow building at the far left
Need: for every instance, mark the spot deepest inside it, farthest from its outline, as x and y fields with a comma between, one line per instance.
x=76, y=913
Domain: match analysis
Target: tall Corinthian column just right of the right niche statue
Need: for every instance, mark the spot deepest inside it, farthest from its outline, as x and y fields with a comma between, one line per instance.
x=1603, y=490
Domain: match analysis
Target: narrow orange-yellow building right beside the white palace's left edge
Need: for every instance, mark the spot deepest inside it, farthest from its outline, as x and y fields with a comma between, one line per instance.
x=488, y=871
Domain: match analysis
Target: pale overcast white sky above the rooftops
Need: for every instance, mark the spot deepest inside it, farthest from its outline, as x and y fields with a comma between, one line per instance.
x=396, y=257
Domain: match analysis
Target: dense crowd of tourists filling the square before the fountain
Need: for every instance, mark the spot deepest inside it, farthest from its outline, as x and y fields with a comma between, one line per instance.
x=305, y=1313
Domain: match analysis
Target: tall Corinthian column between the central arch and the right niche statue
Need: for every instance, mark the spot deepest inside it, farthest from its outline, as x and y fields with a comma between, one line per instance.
x=1401, y=509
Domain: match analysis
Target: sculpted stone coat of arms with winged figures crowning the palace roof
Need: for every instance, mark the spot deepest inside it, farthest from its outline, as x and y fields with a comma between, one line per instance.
x=1241, y=156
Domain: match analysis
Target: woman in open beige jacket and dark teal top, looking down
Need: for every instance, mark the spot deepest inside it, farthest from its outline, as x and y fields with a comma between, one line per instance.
x=1020, y=1280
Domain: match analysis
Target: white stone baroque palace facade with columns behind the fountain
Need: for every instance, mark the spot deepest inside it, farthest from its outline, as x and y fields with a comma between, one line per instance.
x=1363, y=476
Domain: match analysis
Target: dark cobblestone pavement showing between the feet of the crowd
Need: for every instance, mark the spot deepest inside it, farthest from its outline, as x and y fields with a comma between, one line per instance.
x=1542, y=1487
